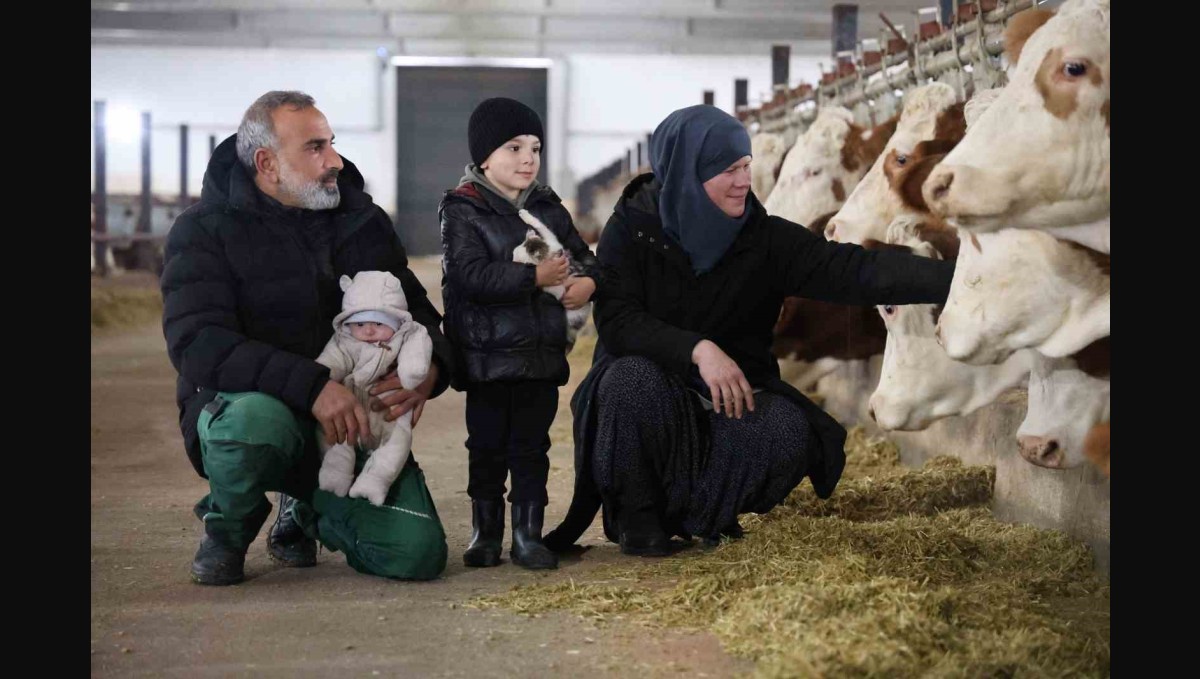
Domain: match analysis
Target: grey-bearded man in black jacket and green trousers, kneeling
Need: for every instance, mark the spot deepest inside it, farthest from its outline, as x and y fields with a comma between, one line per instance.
x=250, y=292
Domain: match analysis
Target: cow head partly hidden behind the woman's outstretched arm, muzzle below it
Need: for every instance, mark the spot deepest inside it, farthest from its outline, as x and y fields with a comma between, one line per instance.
x=920, y=383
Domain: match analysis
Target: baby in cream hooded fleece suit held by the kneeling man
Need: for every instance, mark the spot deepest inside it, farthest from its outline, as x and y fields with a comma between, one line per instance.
x=373, y=334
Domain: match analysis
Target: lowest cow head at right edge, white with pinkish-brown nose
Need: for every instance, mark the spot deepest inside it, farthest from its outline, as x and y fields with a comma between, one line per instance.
x=1065, y=405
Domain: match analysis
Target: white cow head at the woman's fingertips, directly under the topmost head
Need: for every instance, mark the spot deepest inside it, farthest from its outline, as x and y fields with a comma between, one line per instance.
x=1024, y=289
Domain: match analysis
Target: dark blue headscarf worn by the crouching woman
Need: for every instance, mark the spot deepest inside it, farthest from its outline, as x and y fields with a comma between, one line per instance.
x=689, y=148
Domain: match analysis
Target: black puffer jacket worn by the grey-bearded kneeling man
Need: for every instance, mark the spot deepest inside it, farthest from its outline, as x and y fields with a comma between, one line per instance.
x=250, y=290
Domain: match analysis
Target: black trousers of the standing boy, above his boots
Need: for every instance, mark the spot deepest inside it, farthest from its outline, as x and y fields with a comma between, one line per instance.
x=508, y=430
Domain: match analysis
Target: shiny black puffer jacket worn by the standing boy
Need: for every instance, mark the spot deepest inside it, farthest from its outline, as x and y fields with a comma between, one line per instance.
x=503, y=328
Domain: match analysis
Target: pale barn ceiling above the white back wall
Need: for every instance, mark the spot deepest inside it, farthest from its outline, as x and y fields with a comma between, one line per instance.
x=484, y=28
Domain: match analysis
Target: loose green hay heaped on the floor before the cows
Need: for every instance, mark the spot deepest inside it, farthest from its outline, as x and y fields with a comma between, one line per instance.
x=902, y=574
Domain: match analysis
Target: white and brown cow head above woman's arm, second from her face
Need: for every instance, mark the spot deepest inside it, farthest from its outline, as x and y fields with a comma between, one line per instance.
x=929, y=113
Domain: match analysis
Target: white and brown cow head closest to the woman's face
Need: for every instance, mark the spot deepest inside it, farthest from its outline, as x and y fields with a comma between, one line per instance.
x=825, y=165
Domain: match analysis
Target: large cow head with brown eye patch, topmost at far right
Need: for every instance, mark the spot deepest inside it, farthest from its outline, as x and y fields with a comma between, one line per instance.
x=1040, y=155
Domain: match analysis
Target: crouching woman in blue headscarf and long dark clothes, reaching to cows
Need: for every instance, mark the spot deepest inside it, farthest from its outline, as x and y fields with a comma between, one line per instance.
x=683, y=423
